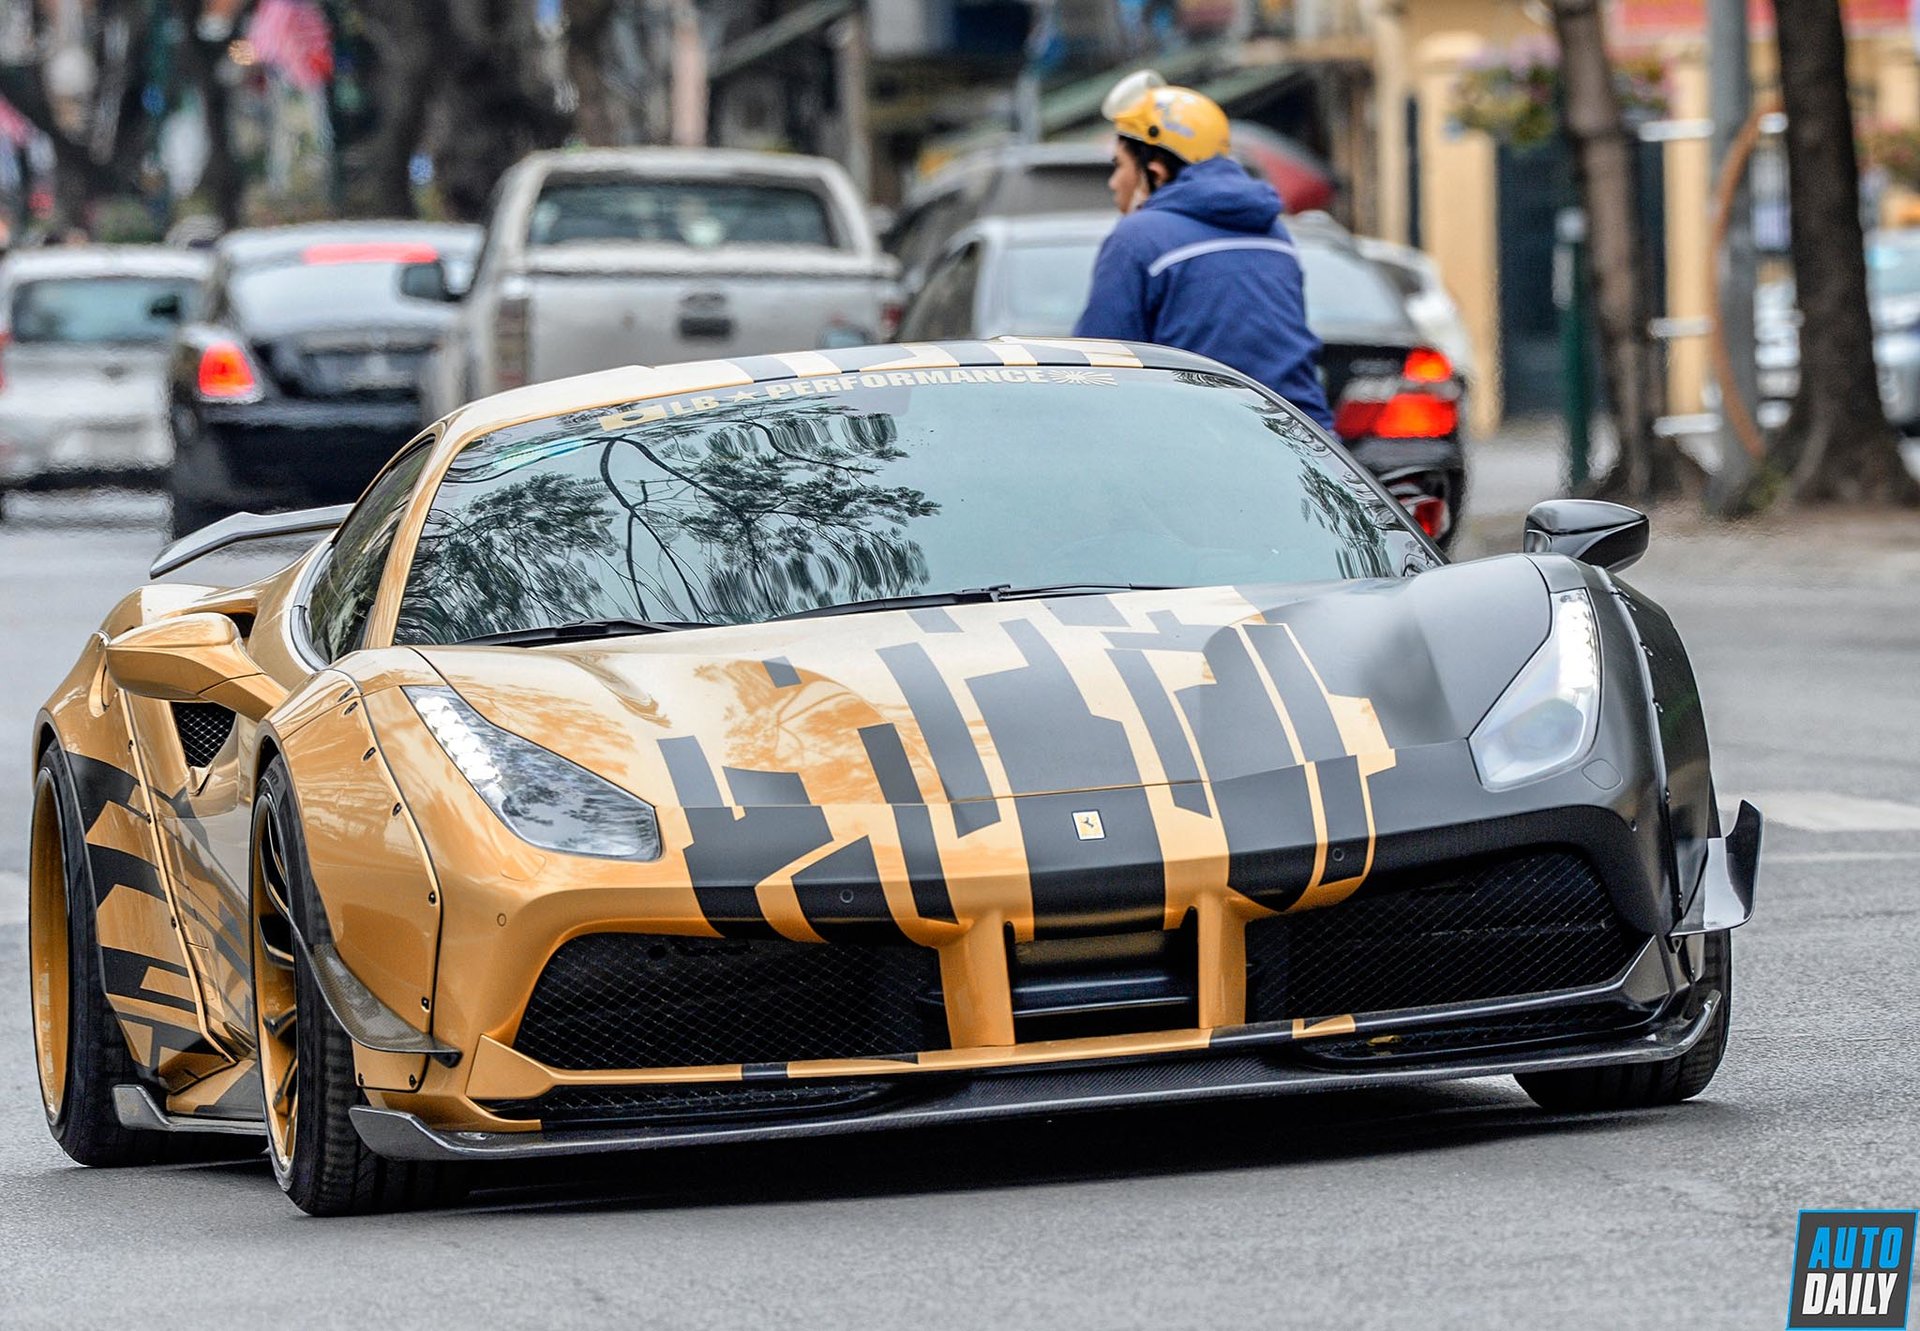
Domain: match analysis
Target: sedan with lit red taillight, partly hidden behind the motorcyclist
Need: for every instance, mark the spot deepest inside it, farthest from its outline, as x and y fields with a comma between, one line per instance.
x=1397, y=399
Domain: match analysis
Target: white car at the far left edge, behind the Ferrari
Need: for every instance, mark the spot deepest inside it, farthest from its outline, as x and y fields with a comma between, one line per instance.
x=84, y=362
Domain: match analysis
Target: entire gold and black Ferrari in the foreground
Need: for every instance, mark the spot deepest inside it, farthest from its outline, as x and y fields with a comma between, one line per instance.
x=855, y=740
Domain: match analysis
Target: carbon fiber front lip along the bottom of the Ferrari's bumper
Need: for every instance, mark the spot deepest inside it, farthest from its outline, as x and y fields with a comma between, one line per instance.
x=1053, y=1090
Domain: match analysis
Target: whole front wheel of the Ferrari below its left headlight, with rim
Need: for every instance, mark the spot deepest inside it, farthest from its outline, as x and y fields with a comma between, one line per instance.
x=306, y=1059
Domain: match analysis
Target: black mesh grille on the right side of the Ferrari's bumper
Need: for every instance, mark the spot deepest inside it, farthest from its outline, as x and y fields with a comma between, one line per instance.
x=1524, y=925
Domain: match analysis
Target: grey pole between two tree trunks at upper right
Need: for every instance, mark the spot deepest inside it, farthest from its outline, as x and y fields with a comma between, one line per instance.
x=1731, y=101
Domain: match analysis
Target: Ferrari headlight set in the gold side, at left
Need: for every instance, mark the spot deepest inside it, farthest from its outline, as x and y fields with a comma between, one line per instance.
x=540, y=796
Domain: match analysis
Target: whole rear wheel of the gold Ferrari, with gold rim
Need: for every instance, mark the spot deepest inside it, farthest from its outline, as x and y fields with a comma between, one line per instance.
x=80, y=1048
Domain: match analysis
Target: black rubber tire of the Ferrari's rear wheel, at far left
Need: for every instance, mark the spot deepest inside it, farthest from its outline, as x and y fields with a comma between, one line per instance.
x=97, y=1057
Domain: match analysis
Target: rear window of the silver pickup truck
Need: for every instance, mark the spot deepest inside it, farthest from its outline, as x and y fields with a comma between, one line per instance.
x=690, y=214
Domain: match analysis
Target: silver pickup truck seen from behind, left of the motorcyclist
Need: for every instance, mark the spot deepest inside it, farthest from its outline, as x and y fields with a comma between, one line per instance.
x=661, y=254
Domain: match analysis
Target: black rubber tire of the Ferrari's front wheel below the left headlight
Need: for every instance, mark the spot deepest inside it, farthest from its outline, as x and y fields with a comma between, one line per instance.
x=325, y=1169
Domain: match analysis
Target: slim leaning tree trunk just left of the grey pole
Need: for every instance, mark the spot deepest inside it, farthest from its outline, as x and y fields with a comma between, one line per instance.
x=1648, y=466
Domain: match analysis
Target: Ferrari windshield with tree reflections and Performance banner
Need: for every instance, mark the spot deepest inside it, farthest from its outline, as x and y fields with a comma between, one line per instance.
x=777, y=498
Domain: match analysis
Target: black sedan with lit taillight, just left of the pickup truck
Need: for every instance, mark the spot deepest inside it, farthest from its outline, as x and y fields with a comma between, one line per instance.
x=302, y=375
